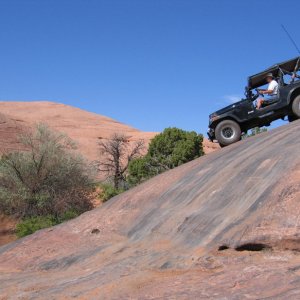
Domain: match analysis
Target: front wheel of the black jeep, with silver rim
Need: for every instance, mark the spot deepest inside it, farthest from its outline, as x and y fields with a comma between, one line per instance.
x=228, y=132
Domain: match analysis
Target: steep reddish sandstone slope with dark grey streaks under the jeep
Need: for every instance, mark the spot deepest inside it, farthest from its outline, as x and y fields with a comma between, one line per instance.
x=225, y=226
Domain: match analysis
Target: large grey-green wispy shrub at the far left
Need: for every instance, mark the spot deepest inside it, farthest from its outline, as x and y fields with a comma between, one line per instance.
x=49, y=178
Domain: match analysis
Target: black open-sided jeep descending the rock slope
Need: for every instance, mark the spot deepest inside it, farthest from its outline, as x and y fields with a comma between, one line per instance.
x=228, y=124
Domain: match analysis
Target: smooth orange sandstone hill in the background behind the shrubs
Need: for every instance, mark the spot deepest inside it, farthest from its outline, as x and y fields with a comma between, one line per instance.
x=84, y=127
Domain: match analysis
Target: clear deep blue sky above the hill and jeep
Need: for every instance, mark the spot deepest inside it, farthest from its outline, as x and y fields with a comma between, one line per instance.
x=148, y=63
